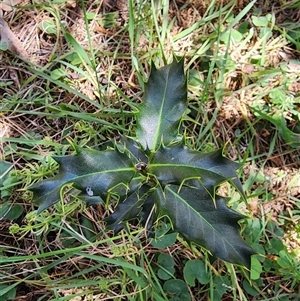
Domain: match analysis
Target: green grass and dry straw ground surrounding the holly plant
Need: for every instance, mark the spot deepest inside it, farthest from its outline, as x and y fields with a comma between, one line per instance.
x=86, y=73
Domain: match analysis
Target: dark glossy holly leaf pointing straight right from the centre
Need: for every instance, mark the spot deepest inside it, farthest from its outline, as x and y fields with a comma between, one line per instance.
x=177, y=163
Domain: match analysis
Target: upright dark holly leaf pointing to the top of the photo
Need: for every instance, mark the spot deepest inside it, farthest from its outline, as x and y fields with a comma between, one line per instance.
x=165, y=102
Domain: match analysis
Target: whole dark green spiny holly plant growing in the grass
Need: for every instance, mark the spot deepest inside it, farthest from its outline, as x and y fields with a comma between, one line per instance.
x=154, y=175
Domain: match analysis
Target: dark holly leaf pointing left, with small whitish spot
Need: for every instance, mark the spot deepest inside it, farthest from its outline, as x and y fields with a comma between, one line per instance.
x=90, y=171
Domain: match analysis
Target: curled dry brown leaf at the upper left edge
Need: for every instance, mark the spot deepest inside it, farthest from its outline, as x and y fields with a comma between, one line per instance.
x=9, y=38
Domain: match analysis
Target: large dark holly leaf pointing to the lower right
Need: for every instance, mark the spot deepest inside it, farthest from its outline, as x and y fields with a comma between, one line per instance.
x=209, y=224
